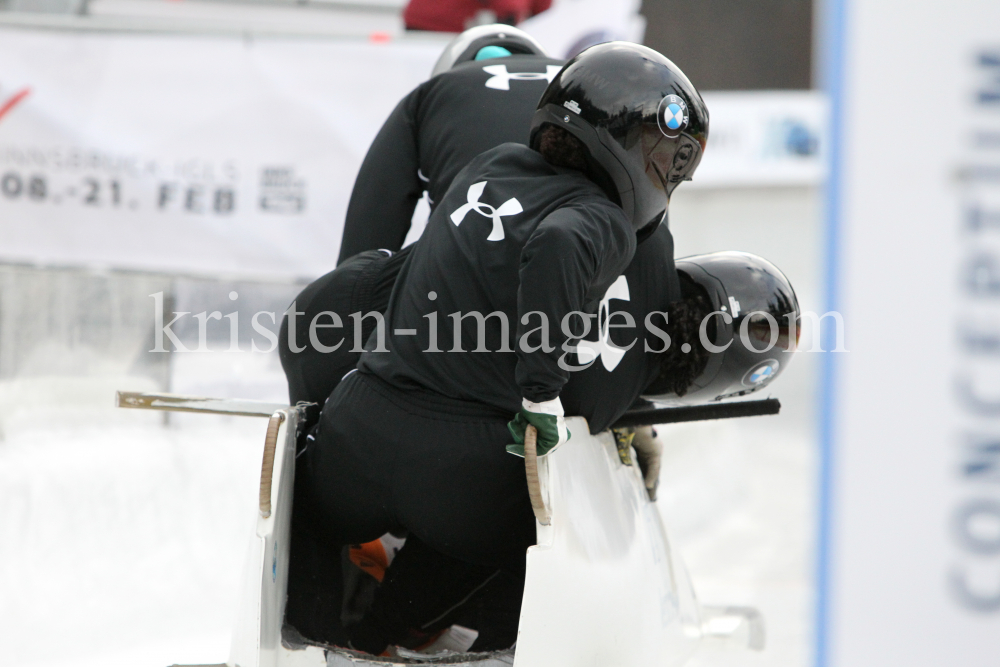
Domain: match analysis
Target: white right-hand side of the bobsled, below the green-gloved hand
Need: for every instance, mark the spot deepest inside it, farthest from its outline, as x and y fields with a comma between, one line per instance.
x=603, y=586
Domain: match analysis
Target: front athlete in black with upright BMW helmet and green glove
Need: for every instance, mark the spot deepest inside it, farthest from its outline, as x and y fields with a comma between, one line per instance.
x=418, y=438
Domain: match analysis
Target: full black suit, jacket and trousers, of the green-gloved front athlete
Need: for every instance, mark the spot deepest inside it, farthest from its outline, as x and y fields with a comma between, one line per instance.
x=415, y=440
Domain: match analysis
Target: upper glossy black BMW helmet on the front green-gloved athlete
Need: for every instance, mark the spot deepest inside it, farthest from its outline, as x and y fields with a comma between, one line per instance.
x=643, y=123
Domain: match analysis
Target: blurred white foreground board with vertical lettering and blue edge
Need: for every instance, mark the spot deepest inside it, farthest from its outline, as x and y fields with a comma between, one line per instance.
x=910, y=556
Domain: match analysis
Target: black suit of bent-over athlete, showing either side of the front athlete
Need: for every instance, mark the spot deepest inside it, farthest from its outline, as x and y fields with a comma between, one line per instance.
x=601, y=393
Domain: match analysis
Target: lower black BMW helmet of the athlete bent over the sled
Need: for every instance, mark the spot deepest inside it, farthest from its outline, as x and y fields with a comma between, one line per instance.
x=754, y=316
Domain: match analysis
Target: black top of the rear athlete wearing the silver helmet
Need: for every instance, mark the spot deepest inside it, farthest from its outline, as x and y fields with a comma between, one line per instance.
x=434, y=132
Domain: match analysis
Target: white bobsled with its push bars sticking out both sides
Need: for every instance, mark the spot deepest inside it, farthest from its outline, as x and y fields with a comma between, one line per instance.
x=603, y=586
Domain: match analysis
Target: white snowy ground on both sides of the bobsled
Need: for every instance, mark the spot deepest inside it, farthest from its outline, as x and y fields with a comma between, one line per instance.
x=124, y=533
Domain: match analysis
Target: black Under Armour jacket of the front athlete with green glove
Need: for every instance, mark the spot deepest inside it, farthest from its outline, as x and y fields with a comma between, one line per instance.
x=512, y=236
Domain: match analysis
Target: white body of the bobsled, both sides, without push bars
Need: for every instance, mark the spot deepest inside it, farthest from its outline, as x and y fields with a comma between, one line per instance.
x=602, y=588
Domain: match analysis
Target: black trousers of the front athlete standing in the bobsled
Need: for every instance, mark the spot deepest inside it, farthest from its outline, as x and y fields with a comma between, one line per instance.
x=384, y=460
